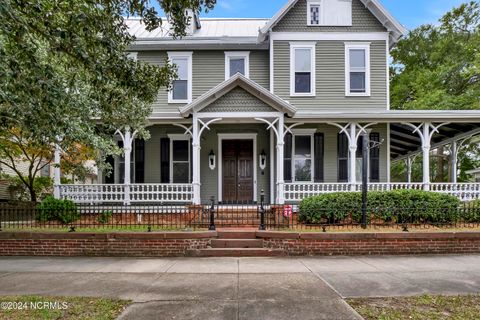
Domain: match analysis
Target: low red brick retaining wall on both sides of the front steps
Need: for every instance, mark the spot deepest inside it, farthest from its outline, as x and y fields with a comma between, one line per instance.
x=170, y=244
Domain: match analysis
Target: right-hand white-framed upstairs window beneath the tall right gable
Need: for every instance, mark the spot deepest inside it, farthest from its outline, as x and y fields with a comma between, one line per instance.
x=357, y=69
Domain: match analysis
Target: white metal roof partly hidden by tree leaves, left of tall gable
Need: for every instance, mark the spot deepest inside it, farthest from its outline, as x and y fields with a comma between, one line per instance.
x=211, y=28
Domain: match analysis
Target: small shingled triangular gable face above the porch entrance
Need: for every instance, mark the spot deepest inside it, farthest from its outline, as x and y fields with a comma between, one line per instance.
x=238, y=100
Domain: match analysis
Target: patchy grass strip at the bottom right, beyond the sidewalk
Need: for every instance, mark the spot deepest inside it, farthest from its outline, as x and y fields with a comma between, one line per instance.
x=416, y=308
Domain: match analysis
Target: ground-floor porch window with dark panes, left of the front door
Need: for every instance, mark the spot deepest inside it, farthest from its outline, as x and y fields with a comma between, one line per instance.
x=179, y=159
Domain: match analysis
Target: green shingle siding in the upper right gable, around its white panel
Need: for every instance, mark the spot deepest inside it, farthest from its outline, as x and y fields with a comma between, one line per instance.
x=296, y=20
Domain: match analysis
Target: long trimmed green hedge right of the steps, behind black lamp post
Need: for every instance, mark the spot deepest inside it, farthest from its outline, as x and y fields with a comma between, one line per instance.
x=397, y=206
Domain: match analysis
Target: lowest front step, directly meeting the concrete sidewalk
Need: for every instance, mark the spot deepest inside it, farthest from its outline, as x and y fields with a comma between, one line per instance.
x=236, y=252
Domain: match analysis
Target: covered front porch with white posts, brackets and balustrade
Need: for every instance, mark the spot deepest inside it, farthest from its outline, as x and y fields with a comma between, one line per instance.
x=238, y=139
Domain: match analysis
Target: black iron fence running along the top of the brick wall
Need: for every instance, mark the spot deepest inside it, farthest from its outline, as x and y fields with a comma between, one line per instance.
x=27, y=216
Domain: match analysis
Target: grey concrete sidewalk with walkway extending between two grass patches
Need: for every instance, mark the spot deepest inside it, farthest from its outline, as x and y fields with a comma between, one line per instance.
x=240, y=288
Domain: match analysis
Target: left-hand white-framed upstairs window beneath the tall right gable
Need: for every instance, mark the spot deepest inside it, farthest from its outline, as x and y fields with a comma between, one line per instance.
x=302, y=69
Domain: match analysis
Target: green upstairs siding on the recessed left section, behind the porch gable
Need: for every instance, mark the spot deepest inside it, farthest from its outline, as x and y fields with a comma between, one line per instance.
x=208, y=68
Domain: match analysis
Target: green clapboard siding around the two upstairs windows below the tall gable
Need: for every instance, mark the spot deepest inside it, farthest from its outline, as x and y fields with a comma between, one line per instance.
x=330, y=77
